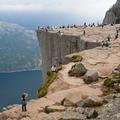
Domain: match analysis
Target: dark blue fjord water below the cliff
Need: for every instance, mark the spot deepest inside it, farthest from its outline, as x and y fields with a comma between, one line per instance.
x=13, y=84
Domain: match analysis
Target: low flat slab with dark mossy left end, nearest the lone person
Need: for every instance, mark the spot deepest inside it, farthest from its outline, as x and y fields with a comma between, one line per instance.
x=53, y=108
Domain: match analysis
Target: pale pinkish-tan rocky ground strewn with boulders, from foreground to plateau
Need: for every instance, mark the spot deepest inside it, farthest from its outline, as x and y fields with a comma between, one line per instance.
x=81, y=97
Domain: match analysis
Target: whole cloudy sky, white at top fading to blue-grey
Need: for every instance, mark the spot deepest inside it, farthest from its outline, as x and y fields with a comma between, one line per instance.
x=33, y=13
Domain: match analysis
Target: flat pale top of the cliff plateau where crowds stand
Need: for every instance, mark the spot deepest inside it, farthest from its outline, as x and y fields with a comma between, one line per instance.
x=92, y=34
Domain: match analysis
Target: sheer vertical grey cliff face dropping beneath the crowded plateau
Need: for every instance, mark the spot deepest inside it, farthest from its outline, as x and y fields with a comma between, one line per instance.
x=54, y=48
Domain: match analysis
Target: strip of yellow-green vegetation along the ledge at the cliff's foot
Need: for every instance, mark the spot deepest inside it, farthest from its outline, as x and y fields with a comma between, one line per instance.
x=51, y=76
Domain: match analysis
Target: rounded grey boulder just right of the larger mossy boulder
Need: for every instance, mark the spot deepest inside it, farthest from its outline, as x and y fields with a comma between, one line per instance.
x=90, y=76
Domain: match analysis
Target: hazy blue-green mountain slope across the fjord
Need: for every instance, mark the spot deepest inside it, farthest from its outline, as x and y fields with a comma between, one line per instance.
x=19, y=48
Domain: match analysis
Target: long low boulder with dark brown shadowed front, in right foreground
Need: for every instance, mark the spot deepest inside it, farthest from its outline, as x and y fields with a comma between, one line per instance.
x=93, y=101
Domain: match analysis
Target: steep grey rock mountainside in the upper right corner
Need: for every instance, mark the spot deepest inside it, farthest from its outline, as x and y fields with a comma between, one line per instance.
x=113, y=14
